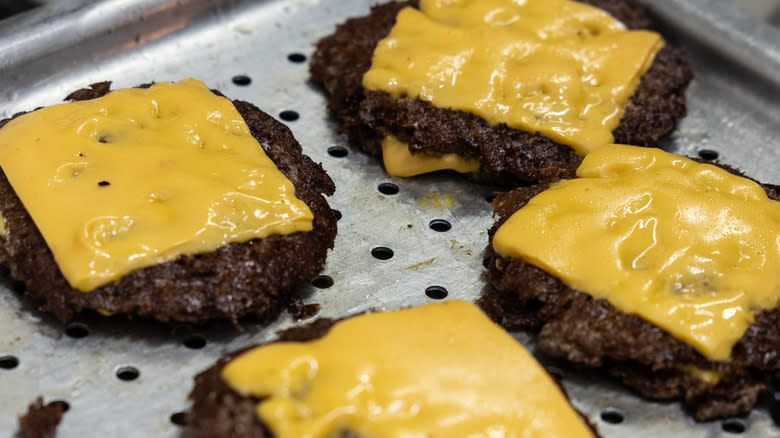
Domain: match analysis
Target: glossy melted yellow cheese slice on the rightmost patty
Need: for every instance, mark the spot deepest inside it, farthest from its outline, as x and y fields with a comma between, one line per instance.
x=688, y=247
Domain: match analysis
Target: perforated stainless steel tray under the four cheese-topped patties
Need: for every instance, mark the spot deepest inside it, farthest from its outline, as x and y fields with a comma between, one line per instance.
x=733, y=110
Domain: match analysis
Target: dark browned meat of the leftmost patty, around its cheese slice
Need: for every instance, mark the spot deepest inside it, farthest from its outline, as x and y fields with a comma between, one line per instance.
x=256, y=277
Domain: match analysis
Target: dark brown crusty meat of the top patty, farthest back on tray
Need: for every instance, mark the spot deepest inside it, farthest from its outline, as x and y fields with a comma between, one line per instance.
x=507, y=155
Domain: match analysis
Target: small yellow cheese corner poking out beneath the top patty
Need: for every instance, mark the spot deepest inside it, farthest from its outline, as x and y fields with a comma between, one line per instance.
x=400, y=162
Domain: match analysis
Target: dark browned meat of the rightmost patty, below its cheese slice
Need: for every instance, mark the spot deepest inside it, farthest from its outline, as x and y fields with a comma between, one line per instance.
x=575, y=326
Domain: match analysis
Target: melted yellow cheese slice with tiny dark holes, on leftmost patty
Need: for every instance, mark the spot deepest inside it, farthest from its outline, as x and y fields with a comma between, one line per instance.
x=141, y=176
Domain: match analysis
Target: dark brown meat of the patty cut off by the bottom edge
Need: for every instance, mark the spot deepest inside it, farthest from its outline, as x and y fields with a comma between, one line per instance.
x=220, y=412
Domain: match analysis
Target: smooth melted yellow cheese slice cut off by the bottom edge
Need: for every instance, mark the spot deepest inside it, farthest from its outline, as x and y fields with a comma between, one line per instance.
x=440, y=370
